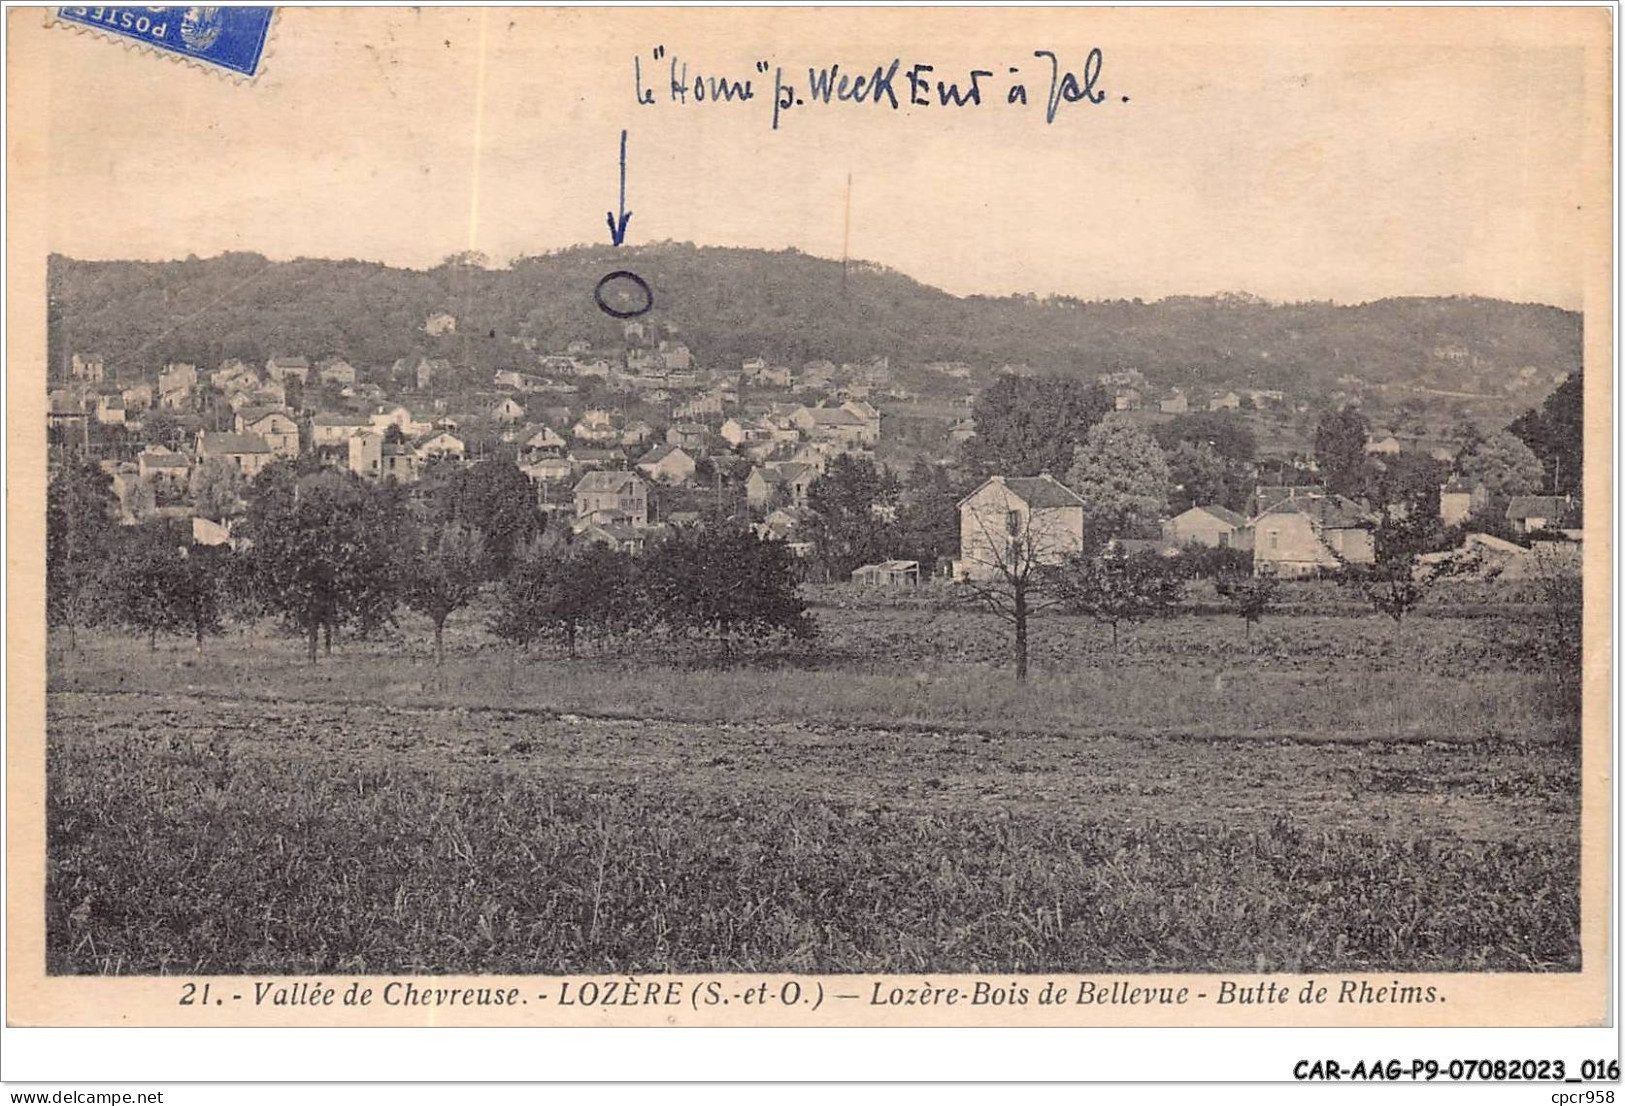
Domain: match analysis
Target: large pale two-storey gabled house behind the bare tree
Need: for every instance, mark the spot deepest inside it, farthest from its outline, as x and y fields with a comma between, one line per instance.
x=1013, y=524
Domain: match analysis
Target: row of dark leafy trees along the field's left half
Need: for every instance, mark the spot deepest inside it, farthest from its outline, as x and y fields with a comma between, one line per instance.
x=327, y=551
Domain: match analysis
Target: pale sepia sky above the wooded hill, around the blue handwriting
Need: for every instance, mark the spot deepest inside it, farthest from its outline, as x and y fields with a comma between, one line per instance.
x=1288, y=153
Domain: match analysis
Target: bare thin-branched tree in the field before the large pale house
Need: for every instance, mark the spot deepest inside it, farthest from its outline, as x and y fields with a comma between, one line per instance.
x=1013, y=532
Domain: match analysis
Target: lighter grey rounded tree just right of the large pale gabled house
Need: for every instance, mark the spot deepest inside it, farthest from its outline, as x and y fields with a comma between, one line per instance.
x=1122, y=477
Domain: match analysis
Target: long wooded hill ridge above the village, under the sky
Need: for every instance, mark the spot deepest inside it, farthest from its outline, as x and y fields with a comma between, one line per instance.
x=732, y=305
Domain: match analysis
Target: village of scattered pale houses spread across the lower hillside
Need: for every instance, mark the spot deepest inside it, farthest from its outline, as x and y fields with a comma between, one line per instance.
x=623, y=444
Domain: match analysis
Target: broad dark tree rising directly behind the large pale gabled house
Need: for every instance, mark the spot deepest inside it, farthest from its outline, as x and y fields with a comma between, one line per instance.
x=1033, y=425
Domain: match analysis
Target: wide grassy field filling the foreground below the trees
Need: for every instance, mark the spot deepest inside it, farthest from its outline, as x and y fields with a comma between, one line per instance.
x=1325, y=797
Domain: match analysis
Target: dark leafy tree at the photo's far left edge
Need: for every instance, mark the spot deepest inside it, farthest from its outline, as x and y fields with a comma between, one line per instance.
x=80, y=512
